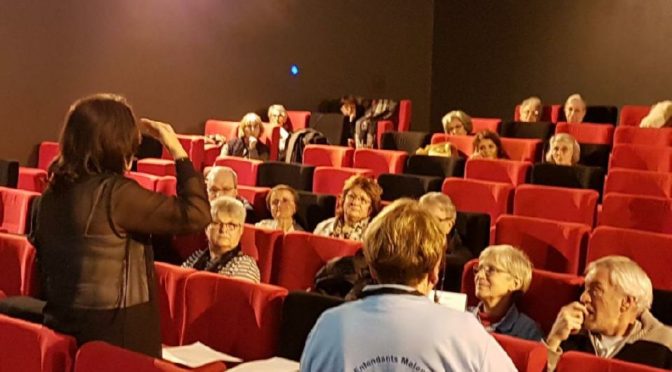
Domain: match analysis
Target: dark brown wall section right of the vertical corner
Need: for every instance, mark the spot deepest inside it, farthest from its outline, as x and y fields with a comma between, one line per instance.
x=489, y=55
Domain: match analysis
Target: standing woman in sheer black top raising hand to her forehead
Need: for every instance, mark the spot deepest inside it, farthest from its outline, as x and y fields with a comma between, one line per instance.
x=93, y=225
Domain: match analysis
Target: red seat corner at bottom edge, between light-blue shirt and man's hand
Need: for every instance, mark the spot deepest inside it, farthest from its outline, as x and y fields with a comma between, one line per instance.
x=527, y=356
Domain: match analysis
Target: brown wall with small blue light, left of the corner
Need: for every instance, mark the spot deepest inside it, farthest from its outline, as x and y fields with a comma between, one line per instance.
x=187, y=61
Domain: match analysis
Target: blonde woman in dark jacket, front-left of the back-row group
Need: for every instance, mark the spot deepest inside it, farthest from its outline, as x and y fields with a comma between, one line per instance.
x=248, y=144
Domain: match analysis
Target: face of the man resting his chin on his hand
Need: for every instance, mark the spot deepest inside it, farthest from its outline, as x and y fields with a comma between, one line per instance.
x=603, y=302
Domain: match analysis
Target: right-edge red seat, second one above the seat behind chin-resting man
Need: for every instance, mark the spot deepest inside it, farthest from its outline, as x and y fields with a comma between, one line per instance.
x=636, y=182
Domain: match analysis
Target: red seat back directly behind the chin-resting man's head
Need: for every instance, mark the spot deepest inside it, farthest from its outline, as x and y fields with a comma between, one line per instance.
x=653, y=252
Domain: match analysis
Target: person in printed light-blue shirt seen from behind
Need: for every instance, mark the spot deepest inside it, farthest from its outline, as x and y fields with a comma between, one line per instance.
x=395, y=326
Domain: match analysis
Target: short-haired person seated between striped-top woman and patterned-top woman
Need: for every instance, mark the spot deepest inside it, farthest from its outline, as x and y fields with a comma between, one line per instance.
x=281, y=201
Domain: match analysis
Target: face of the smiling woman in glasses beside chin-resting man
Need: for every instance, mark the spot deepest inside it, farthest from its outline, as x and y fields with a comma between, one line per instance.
x=492, y=282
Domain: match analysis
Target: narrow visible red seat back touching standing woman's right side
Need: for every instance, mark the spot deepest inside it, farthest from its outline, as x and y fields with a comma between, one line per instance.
x=171, y=281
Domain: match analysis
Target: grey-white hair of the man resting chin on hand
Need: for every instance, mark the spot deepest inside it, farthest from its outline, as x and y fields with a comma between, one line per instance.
x=627, y=276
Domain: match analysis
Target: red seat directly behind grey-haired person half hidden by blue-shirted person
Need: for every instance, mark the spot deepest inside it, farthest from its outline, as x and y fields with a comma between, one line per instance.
x=492, y=198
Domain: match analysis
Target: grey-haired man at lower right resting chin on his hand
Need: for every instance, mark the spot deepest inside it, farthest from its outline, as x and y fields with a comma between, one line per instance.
x=612, y=318
